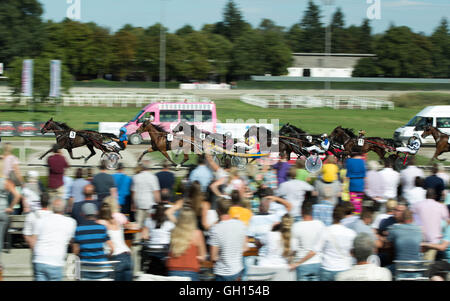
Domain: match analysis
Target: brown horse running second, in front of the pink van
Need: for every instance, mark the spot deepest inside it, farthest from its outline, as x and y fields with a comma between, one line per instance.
x=159, y=141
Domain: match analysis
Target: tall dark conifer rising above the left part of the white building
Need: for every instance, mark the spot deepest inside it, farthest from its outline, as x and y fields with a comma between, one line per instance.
x=313, y=31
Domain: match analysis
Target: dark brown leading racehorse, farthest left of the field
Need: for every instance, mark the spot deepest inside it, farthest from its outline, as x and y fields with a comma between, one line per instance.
x=63, y=132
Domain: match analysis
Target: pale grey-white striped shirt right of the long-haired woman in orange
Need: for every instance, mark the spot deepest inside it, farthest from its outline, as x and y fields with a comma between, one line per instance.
x=229, y=236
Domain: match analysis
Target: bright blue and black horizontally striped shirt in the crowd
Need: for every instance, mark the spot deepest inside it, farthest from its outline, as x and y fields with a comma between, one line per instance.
x=91, y=238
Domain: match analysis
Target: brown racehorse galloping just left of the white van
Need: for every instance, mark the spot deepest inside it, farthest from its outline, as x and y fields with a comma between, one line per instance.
x=349, y=141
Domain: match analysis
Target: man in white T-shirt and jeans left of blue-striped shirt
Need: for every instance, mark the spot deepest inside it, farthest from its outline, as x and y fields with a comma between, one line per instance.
x=49, y=242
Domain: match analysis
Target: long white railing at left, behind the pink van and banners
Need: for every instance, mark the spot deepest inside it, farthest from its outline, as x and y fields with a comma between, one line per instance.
x=110, y=100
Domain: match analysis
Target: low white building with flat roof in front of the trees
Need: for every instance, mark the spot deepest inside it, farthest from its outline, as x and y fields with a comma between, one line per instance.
x=325, y=65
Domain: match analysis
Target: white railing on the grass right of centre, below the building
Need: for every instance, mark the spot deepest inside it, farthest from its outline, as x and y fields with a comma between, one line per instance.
x=335, y=102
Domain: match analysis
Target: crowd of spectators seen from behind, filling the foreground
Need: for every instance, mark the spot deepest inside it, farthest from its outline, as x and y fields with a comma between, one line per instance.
x=354, y=220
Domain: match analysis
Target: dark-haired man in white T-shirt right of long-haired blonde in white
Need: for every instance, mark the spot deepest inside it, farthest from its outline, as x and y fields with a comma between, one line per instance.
x=305, y=235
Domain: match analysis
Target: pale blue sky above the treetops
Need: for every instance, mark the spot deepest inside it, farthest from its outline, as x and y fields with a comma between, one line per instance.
x=420, y=15
